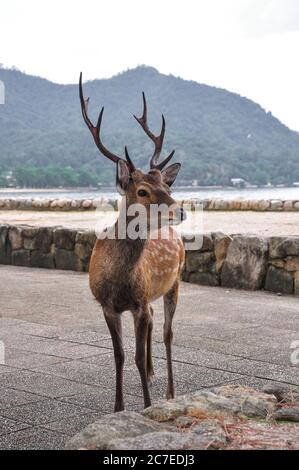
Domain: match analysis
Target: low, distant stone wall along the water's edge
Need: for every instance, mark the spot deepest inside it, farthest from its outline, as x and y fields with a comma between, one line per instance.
x=93, y=204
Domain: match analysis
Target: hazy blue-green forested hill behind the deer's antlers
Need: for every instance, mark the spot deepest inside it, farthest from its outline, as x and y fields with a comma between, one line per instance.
x=217, y=135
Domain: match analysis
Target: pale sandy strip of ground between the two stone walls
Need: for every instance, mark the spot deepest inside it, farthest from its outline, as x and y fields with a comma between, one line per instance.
x=261, y=223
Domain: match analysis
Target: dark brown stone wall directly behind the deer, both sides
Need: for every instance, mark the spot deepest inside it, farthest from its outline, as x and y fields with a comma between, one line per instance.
x=240, y=261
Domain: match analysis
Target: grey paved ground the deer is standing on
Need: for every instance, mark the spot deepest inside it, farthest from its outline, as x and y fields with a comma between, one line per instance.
x=58, y=373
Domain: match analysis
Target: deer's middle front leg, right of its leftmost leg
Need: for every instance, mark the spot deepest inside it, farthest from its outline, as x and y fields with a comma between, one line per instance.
x=142, y=320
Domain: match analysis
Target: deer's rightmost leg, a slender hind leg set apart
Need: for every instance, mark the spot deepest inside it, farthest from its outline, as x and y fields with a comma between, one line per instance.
x=170, y=302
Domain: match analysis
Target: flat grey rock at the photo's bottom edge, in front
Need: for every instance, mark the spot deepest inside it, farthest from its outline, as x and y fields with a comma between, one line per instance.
x=167, y=441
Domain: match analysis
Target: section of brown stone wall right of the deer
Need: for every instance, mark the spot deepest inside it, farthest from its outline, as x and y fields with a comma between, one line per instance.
x=245, y=262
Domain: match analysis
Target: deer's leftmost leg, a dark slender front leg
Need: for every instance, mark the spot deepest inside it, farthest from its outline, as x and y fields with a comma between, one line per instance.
x=113, y=321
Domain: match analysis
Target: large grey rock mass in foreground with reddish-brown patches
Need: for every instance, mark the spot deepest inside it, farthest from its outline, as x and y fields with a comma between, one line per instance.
x=227, y=417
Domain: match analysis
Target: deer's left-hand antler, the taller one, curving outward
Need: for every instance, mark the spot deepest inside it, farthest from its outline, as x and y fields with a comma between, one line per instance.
x=95, y=131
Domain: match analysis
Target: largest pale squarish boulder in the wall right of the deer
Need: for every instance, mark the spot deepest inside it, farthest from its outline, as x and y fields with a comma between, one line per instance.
x=246, y=263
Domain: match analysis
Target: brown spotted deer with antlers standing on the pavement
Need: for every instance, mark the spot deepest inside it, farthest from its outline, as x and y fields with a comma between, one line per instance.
x=129, y=274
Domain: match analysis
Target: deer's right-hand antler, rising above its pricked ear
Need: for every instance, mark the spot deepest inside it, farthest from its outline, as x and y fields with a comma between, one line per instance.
x=158, y=140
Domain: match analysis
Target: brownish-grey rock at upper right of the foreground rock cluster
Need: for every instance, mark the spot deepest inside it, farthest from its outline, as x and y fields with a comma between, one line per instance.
x=251, y=402
